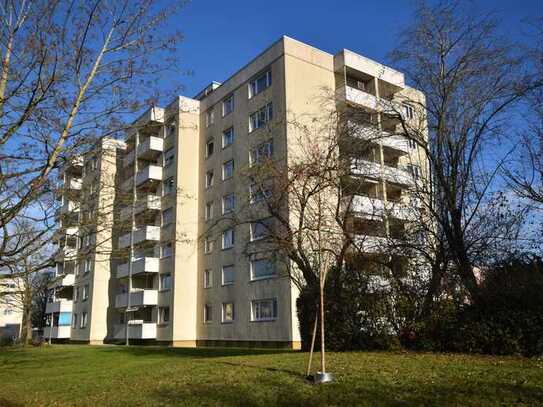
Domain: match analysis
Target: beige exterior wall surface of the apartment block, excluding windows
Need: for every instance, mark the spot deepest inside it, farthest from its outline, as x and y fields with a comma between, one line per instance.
x=304, y=79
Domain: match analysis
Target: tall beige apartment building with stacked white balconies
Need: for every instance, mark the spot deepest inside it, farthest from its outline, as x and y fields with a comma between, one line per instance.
x=174, y=269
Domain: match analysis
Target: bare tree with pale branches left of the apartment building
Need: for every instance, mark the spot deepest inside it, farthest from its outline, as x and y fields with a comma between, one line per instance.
x=70, y=72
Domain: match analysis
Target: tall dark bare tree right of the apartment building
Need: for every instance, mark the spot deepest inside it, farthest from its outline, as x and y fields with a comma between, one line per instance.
x=472, y=78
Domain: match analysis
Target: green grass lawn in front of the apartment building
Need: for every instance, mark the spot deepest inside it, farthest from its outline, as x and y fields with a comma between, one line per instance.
x=148, y=376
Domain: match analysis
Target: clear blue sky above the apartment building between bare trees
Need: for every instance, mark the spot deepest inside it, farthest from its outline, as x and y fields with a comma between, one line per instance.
x=222, y=36
